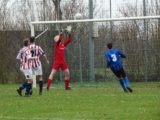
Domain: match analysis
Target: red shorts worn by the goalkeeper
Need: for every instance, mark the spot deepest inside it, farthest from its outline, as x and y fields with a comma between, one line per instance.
x=61, y=65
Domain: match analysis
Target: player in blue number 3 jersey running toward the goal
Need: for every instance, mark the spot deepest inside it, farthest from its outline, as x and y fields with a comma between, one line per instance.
x=113, y=57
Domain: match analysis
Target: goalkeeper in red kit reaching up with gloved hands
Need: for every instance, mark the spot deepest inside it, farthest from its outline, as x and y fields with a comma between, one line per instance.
x=59, y=59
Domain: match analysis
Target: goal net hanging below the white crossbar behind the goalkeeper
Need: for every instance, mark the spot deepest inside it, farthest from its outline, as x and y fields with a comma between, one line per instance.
x=138, y=37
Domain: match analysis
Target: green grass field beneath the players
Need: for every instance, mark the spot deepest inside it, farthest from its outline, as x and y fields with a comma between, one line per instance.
x=90, y=101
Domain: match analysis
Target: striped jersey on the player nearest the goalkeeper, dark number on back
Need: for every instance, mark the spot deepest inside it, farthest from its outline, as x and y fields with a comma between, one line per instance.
x=36, y=51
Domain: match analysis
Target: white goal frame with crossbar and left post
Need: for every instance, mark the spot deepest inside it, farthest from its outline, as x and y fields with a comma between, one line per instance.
x=87, y=20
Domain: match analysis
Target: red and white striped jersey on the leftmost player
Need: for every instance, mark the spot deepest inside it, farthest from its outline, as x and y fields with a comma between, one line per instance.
x=25, y=57
